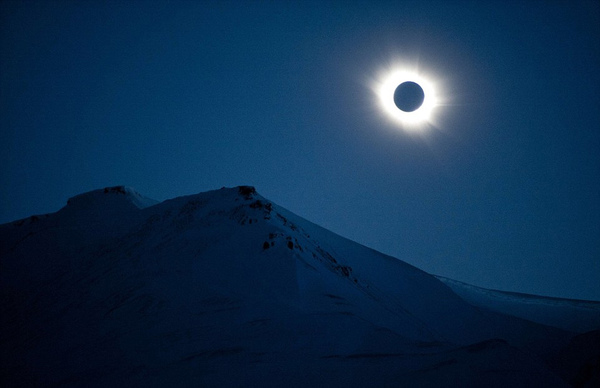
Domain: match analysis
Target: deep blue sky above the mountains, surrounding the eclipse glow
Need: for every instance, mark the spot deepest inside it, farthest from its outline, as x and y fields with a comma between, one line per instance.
x=175, y=98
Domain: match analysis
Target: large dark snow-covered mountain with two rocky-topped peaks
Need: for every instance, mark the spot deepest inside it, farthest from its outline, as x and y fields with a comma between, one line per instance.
x=226, y=288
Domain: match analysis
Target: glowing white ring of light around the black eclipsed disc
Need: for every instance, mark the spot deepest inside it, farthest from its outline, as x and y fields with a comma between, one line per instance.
x=385, y=88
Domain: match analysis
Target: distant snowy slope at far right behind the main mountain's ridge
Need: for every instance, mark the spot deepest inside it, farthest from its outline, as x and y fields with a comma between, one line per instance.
x=574, y=315
